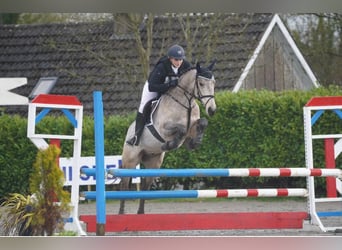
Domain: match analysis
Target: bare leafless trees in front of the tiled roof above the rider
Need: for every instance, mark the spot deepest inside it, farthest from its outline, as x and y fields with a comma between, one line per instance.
x=200, y=33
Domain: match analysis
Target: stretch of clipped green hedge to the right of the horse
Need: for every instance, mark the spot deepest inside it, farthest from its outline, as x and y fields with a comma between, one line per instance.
x=257, y=129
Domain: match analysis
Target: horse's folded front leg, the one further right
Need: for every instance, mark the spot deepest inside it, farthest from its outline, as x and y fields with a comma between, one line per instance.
x=196, y=134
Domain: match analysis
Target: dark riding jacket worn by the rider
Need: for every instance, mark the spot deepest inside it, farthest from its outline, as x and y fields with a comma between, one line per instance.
x=161, y=75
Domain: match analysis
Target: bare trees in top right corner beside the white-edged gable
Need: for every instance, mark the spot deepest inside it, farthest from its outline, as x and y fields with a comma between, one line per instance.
x=319, y=38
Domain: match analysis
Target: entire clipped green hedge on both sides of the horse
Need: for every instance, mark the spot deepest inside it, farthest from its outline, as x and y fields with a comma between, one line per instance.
x=250, y=129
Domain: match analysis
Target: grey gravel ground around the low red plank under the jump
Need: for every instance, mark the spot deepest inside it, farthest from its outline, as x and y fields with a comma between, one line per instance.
x=224, y=205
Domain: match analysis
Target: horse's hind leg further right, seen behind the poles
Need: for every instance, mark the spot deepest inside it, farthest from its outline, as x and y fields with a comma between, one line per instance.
x=149, y=161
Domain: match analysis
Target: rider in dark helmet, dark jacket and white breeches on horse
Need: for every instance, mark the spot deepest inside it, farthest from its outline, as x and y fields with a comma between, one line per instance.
x=163, y=77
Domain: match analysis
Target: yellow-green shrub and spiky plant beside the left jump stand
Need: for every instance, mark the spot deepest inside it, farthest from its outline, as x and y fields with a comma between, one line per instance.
x=40, y=212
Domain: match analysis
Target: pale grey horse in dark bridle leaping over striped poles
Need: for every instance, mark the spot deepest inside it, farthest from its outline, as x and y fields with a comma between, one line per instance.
x=175, y=121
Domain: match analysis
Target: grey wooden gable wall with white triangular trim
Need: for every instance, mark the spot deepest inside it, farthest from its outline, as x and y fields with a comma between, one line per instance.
x=276, y=63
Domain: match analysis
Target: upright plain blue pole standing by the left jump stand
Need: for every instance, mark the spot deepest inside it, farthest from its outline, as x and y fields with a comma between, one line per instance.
x=100, y=170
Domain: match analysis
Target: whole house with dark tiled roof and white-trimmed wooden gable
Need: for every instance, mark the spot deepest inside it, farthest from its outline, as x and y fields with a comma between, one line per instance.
x=253, y=51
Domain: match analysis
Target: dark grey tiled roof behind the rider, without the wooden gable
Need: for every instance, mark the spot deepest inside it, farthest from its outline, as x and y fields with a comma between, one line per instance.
x=88, y=56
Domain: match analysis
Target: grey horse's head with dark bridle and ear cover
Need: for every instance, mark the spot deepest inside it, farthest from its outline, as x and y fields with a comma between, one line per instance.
x=205, y=85
